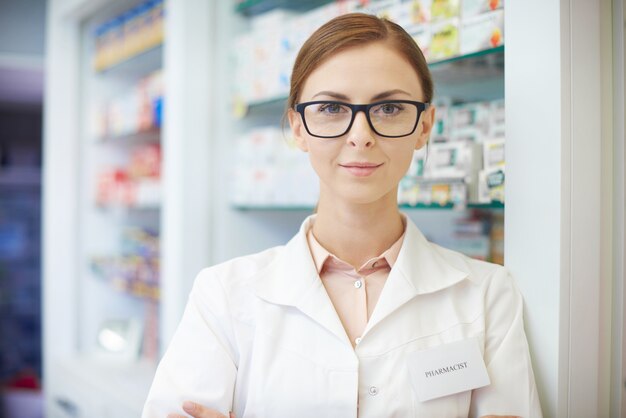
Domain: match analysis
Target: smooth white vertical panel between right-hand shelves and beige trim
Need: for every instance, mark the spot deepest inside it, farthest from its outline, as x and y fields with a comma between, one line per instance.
x=533, y=202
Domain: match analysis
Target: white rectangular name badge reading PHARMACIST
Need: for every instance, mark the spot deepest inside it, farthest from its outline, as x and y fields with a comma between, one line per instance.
x=447, y=369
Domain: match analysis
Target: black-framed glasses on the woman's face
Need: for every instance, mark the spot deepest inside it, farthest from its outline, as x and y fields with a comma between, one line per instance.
x=388, y=118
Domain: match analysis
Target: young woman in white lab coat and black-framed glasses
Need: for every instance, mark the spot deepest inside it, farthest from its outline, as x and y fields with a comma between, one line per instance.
x=358, y=315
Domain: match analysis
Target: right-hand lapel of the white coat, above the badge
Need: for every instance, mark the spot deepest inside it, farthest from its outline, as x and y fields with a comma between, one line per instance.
x=419, y=269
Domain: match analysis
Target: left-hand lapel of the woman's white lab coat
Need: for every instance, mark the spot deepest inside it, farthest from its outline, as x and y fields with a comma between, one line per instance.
x=292, y=280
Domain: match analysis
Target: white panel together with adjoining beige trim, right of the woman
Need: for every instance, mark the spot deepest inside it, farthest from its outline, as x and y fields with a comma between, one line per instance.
x=556, y=191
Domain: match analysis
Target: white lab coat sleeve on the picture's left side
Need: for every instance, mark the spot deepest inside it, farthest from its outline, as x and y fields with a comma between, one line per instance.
x=200, y=362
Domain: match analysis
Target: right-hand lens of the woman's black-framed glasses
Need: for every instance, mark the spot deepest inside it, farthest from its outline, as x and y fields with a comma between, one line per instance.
x=394, y=118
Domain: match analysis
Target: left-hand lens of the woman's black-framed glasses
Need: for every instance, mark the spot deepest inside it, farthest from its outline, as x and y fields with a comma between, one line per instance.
x=327, y=119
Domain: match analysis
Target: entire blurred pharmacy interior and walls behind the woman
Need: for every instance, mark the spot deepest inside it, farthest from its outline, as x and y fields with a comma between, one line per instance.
x=141, y=140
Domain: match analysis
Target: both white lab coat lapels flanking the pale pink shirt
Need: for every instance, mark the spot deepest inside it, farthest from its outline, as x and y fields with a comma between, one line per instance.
x=292, y=279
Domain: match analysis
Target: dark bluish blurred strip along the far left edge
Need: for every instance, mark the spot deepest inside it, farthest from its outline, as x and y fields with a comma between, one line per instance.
x=22, y=45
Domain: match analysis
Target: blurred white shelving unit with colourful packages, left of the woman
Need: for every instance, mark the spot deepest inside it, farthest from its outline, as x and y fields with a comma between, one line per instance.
x=124, y=233
